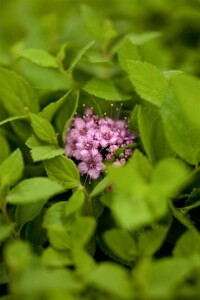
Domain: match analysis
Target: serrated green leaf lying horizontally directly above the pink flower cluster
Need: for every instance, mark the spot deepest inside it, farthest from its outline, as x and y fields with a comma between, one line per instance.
x=105, y=89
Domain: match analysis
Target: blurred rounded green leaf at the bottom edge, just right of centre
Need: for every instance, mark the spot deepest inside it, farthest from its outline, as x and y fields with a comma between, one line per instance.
x=113, y=279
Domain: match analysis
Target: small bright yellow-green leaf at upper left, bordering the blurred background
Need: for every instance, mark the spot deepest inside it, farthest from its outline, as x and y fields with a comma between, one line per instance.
x=39, y=57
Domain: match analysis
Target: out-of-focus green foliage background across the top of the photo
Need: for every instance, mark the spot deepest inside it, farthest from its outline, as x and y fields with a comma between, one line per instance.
x=47, y=24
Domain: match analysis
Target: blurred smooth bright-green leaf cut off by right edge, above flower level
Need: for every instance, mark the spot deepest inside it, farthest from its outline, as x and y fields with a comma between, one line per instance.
x=187, y=90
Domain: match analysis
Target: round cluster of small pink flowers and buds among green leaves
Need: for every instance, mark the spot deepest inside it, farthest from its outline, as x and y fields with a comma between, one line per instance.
x=92, y=139
